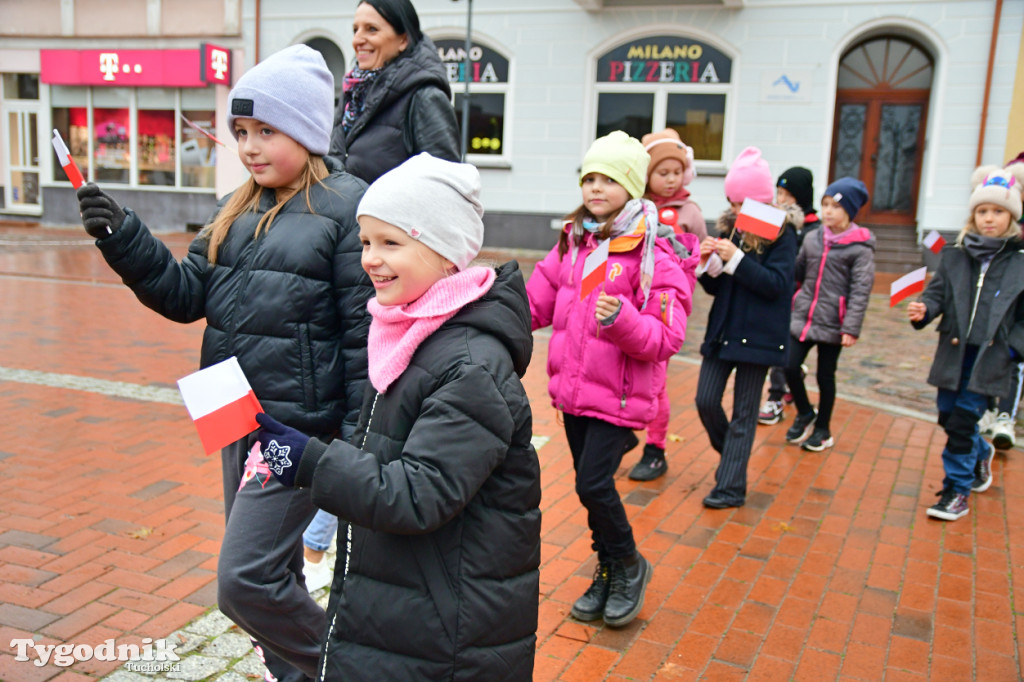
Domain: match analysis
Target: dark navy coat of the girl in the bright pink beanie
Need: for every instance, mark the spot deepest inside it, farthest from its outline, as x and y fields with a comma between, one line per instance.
x=750, y=320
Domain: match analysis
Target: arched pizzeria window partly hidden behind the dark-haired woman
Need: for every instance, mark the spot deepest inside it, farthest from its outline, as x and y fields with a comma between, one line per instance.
x=488, y=99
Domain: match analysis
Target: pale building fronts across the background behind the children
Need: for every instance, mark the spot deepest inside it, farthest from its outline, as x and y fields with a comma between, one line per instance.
x=906, y=96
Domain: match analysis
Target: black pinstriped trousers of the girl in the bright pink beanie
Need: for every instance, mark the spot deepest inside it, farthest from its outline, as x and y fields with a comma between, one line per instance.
x=733, y=439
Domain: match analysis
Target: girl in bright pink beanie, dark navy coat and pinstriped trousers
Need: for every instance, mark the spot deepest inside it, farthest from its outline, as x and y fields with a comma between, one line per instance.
x=751, y=279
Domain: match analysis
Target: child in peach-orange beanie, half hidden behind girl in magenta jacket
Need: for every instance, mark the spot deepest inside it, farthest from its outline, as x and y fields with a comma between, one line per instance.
x=670, y=172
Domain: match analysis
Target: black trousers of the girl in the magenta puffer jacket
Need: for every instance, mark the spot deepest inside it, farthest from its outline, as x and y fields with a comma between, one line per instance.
x=598, y=452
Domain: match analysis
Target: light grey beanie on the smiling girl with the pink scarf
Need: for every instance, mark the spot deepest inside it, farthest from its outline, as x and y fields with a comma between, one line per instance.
x=434, y=201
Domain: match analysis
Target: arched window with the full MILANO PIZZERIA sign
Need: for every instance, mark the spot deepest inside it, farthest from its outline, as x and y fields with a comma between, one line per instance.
x=656, y=82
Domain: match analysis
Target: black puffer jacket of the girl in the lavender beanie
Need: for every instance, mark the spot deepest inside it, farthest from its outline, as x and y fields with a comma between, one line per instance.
x=291, y=306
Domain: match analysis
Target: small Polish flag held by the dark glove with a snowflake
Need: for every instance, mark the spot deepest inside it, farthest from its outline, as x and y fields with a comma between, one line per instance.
x=221, y=402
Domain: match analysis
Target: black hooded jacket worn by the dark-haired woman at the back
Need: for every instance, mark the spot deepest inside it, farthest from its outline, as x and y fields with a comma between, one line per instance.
x=408, y=110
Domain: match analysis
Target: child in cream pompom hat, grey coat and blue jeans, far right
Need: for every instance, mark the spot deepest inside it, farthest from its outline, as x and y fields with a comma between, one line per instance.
x=979, y=291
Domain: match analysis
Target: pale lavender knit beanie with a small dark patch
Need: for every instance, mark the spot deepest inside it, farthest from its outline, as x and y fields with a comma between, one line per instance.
x=291, y=91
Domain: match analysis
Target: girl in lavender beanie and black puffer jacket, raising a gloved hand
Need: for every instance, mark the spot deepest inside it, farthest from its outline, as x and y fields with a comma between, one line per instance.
x=277, y=277
